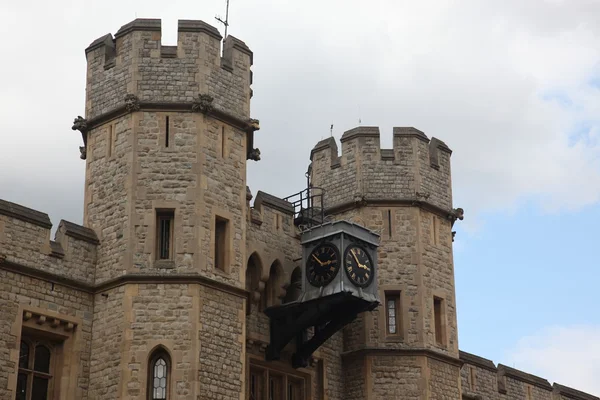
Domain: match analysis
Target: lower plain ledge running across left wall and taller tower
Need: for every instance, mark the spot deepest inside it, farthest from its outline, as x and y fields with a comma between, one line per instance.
x=122, y=280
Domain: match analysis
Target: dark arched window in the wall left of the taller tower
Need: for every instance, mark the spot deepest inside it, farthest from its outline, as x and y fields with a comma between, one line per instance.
x=35, y=371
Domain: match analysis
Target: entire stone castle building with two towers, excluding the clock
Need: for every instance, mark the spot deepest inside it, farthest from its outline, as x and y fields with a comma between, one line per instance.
x=160, y=295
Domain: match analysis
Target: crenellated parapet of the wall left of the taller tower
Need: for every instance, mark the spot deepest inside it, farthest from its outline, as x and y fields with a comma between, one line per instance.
x=25, y=244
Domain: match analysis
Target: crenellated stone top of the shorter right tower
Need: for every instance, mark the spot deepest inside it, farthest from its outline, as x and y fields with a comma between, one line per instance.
x=415, y=168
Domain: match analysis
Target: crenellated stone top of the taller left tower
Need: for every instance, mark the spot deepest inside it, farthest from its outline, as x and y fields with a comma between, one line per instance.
x=134, y=62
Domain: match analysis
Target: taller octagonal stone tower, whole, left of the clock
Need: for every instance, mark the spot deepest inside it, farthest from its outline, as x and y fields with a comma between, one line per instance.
x=167, y=133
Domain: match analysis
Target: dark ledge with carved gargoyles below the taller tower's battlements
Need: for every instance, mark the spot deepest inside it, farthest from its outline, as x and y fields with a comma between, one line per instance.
x=203, y=104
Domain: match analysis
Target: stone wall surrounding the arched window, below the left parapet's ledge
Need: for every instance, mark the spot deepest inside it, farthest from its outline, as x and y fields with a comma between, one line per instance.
x=46, y=307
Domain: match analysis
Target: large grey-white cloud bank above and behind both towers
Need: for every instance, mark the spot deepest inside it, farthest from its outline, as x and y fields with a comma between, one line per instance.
x=475, y=74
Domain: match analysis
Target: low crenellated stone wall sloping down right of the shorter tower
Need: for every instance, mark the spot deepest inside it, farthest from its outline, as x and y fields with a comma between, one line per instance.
x=483, y=379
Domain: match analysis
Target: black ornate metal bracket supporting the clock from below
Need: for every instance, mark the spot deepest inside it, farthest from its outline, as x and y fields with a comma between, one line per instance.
x=326, y=315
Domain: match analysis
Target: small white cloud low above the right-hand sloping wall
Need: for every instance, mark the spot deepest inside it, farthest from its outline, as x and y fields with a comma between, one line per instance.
x=566, y=355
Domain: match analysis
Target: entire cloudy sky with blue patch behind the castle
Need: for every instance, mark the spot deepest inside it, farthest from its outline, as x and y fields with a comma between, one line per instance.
x=512, y=87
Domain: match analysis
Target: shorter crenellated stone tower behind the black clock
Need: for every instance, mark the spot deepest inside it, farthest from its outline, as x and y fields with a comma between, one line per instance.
x=408, y=348
